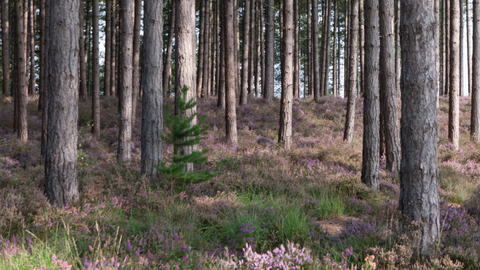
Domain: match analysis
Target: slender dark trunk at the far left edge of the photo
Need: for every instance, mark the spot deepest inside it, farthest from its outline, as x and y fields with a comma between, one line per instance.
x=6, y=47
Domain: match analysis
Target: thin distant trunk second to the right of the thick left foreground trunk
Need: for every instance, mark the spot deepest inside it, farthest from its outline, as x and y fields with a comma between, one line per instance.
x=108, y=50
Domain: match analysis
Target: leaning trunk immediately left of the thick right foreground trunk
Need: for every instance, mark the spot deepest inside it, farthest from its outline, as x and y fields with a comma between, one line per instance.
x=387, y=86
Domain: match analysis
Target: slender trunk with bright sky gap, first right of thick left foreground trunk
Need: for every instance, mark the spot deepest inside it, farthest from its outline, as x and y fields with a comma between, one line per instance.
x=96, y=73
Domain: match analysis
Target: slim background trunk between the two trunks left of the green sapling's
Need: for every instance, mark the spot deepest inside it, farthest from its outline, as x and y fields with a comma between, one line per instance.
x=136, y=59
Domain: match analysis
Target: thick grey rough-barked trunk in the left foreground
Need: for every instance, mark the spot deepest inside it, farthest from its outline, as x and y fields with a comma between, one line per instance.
x=61, y=182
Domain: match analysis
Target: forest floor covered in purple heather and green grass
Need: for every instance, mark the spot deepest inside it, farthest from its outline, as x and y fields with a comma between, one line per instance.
x=266, y=207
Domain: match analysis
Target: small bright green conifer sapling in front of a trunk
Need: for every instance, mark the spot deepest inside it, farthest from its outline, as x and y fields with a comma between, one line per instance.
x=181, y=133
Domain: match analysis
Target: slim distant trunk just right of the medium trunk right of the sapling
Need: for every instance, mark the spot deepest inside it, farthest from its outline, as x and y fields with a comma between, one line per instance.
x=245, y=52
